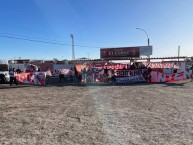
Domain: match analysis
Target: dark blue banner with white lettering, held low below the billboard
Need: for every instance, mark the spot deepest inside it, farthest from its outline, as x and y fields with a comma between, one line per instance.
x=132, y=79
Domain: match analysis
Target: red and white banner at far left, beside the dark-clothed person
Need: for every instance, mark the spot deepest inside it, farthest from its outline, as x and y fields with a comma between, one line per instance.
x=37, y=78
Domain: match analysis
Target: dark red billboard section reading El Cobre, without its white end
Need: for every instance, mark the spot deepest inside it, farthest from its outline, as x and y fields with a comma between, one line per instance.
x=110, y=53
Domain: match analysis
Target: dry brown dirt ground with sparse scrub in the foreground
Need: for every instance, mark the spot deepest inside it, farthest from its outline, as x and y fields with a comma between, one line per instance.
x=136, y=114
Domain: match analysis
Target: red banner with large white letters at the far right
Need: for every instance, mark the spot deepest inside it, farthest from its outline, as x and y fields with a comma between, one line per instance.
x=161, y=77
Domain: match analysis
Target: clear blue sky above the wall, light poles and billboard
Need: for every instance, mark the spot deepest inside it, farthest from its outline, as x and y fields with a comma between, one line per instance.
x=40, y=29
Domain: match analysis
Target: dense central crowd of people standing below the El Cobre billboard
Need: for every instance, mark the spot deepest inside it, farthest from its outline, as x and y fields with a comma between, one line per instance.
x=105, y=74
